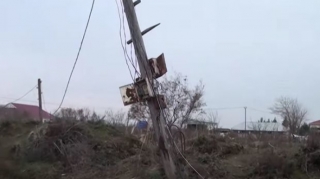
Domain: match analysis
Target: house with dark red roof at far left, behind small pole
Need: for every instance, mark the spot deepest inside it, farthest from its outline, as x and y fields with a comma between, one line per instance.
x=23, y=111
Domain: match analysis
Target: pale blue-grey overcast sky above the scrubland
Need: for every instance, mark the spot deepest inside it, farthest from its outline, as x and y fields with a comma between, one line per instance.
x=246, y=52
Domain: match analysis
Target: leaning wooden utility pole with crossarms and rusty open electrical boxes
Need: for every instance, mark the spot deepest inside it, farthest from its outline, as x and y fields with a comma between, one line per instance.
x=148, y=73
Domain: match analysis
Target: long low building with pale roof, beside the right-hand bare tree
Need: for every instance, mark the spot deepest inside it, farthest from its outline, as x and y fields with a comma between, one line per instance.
x=259, y=127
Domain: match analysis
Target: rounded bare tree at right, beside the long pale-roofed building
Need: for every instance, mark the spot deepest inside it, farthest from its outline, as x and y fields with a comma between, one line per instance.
x=291, y=111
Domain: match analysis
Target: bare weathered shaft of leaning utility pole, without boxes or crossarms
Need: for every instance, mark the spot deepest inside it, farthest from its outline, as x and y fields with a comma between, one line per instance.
x=165, y=143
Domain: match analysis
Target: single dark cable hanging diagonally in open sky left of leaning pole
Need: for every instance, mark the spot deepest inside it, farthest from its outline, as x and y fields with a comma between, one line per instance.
x=74, y=65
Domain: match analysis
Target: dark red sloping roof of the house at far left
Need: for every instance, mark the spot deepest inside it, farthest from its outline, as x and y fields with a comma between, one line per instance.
x=31, y=110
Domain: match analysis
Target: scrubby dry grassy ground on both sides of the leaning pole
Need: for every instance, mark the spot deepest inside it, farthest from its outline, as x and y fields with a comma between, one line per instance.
x=77, y=150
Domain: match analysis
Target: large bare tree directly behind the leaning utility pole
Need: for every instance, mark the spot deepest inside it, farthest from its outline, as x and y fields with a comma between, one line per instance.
x=182, y=102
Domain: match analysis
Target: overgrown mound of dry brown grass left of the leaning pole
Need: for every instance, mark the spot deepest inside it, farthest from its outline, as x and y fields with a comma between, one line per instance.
x=74, y=149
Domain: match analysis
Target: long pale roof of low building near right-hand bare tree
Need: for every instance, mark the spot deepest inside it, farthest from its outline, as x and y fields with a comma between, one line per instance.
x=259, y=126
